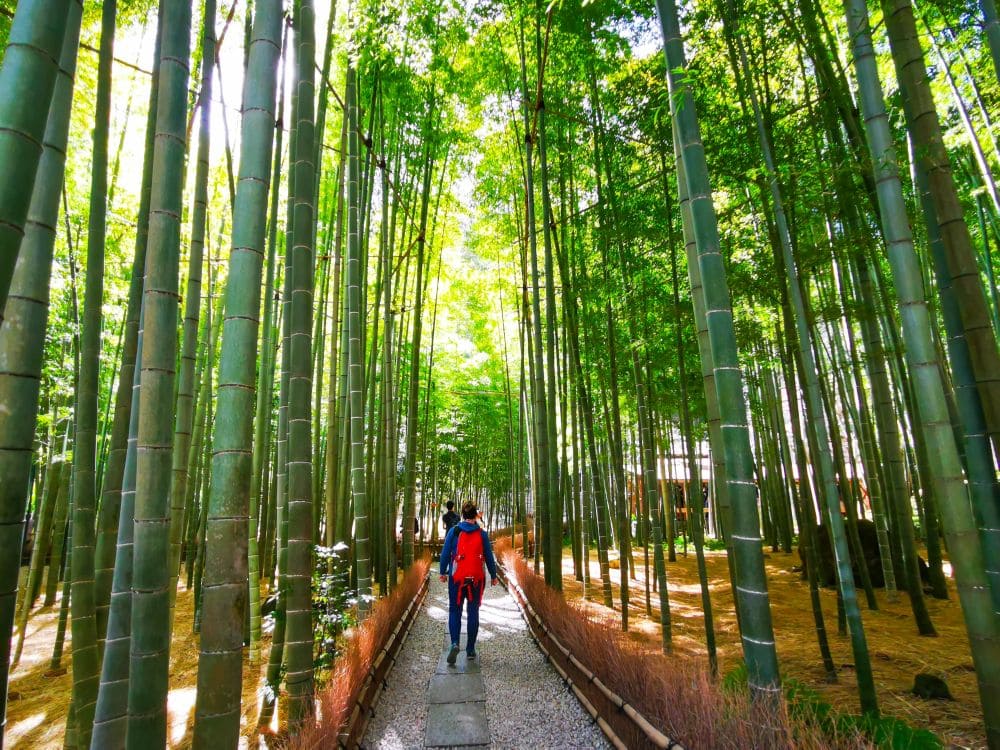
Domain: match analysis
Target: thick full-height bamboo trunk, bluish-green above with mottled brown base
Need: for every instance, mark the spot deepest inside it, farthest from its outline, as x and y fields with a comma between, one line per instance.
x=225, y=578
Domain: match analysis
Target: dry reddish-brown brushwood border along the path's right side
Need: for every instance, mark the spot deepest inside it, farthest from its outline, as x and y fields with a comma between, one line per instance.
x=676, y=693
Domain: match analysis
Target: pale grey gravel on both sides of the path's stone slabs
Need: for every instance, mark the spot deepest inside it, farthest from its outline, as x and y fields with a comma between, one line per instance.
x=527, y=704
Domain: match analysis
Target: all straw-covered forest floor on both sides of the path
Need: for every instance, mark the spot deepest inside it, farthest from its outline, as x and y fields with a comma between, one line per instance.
x=36, y=711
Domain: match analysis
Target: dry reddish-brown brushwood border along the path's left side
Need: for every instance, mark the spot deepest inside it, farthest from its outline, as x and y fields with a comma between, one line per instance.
x=336, y=701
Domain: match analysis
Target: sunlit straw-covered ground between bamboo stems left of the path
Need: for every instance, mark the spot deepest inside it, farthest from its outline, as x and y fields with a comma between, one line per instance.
x=37, y=706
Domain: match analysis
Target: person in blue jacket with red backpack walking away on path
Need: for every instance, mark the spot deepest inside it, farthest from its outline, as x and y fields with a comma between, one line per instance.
x=466, y=548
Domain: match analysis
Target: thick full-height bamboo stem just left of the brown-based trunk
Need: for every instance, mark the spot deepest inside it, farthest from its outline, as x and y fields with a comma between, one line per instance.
x=149, y=654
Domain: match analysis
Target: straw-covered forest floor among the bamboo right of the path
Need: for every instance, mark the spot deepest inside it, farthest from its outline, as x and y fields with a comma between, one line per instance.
x=898, y=652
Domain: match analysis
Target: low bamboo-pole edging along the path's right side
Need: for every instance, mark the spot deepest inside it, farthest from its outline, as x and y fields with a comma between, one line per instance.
x=621, y=711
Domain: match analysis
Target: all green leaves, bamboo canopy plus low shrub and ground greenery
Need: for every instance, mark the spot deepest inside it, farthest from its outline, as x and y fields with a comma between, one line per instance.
x=623, y=248
